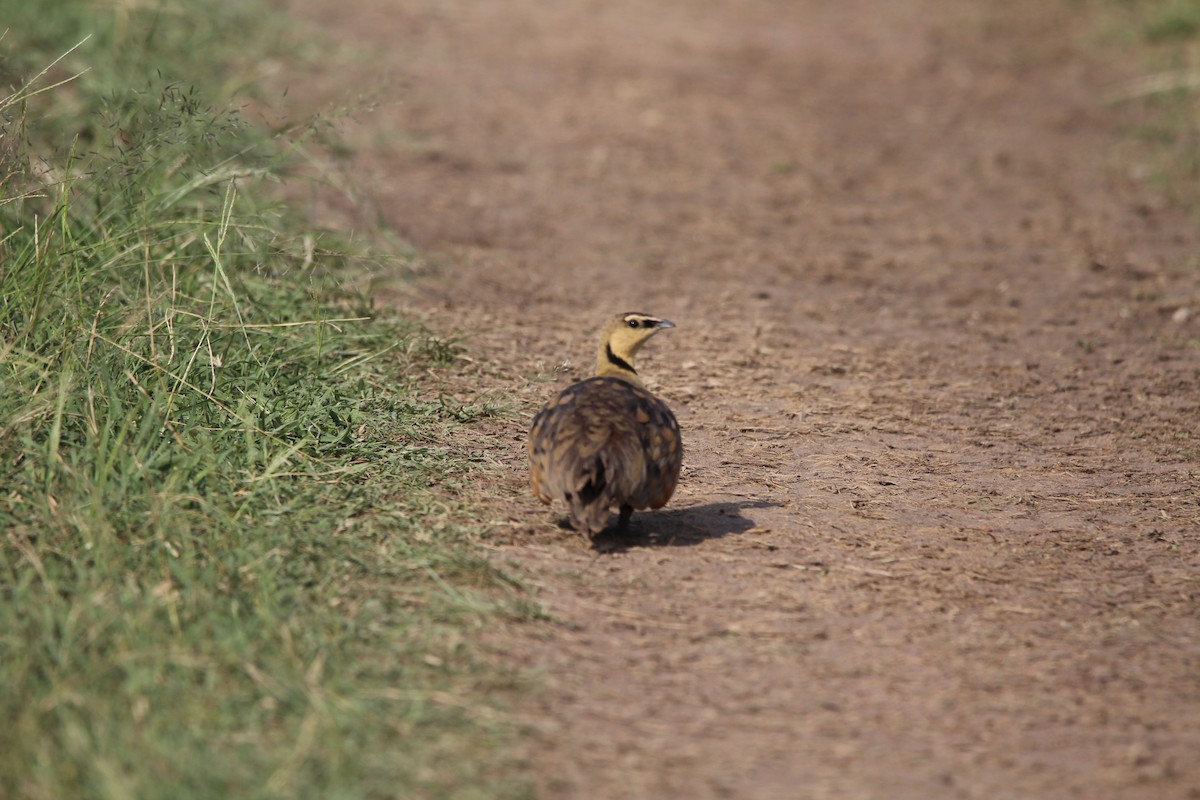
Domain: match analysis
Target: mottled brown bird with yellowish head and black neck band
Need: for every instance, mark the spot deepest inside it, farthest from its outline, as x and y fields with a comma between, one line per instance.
x=608, y=442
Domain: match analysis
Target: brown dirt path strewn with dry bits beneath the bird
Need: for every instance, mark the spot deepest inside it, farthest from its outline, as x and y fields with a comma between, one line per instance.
x=938, y=369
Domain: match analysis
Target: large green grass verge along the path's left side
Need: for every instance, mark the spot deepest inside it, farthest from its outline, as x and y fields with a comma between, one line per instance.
x=229, y=564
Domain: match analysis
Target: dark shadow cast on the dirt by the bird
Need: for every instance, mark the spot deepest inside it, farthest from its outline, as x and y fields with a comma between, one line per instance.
x=681, y=527
